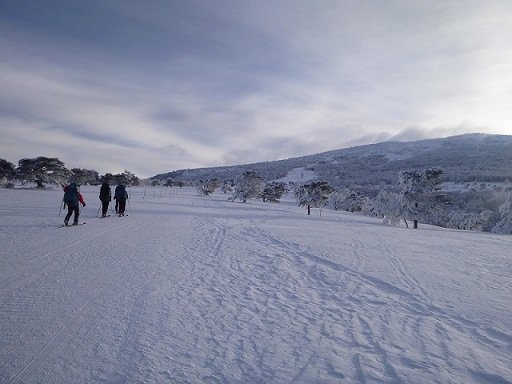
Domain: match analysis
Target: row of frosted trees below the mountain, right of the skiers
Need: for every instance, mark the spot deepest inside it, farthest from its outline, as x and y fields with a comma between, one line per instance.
x=417, y=198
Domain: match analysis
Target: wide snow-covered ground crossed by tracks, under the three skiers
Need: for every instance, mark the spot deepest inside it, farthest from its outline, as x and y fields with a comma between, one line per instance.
x=196, y=289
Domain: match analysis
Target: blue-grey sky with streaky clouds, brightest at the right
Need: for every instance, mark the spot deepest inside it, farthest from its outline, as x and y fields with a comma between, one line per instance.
x=162, y=85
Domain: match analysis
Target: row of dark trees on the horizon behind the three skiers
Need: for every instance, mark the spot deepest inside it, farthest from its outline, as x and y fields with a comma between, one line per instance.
x=45, y=171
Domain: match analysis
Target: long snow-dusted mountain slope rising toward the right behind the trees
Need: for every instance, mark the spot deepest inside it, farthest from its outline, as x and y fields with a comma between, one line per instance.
x=464, y=158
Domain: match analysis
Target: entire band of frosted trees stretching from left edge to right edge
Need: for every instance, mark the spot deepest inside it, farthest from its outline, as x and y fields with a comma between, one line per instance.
x=417, y=199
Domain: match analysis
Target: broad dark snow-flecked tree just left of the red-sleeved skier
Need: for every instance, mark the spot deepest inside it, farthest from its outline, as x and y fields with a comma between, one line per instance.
x=42, y=170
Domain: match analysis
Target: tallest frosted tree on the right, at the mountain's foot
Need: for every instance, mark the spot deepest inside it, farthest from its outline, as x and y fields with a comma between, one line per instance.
x=418, y=192
